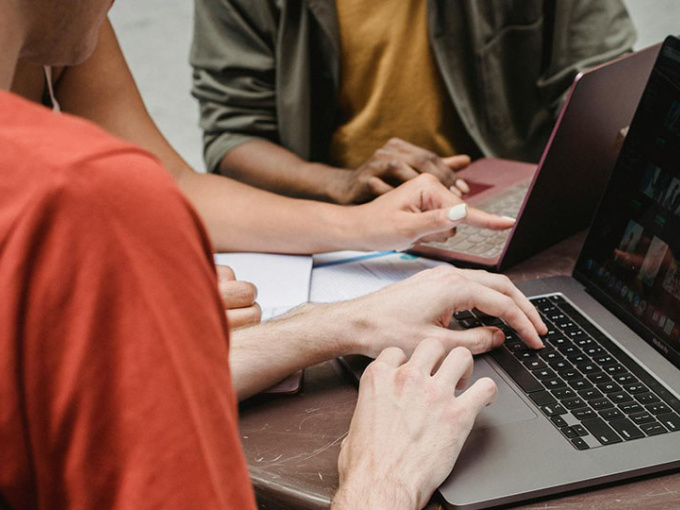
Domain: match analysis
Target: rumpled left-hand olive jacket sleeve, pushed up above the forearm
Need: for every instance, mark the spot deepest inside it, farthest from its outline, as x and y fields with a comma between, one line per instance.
x=233, y=57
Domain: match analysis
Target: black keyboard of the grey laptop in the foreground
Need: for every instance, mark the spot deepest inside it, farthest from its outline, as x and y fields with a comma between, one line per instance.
x=590, y=390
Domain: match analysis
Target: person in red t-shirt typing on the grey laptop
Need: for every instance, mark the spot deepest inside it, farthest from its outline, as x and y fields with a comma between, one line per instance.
x=117, y=383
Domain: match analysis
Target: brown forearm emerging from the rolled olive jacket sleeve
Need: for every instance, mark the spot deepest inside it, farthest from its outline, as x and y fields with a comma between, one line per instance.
x=269, y=166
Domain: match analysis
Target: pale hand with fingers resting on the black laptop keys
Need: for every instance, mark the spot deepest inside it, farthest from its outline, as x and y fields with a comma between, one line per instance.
x=422, y=307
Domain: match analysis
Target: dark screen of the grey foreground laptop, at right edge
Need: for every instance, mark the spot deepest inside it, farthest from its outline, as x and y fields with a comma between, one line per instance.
x=631, y=257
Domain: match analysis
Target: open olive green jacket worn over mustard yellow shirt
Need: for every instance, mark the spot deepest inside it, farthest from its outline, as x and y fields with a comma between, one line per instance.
x=270, y=68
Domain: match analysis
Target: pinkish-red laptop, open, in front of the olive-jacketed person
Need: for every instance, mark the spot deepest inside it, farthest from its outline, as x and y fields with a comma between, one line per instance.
x=574, y=168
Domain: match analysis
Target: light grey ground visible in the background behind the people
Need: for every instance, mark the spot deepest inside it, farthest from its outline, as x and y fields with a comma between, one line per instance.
x=156, y=35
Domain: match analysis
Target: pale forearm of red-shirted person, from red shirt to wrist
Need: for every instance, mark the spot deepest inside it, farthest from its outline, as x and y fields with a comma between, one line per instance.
x=262, y=355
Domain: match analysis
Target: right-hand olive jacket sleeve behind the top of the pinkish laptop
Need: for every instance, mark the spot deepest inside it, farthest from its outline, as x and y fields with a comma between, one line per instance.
x=585, y=34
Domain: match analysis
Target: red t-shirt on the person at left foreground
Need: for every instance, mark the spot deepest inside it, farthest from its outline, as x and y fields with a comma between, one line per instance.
x=115, y=390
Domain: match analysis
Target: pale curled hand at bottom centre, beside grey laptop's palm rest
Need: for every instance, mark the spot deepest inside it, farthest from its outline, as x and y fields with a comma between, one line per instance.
x=409, y=427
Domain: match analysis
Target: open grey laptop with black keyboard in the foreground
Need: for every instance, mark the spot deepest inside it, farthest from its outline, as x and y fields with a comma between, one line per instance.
x=601, y=402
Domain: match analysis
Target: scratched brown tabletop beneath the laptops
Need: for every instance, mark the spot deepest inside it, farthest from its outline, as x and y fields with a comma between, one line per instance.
x=291, y=443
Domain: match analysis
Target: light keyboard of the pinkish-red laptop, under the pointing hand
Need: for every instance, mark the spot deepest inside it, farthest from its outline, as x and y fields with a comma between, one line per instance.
x=487, y=243
